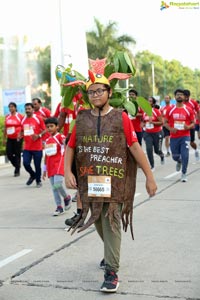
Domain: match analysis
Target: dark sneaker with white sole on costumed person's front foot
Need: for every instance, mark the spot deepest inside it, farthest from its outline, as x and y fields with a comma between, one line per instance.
x=111, y=283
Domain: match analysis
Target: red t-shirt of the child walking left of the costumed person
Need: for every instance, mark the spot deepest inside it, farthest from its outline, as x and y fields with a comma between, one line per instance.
x=54, y=154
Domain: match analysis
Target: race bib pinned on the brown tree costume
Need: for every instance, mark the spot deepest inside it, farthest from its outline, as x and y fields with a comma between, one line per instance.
x=99, y=186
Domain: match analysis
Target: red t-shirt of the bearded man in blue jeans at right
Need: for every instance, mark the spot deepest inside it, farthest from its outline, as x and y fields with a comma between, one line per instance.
x=177, y=117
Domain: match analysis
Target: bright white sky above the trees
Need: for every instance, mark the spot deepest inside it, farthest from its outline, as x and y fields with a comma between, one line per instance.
x=172, y=33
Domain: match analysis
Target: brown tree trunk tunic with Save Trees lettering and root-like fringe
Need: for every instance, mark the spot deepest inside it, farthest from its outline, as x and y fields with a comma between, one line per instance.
x=107, y=156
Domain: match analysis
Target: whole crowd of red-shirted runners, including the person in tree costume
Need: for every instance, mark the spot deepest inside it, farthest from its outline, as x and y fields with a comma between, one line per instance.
x=39, y=134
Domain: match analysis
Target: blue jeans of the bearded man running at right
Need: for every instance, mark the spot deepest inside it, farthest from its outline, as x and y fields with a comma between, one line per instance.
x=180, y=151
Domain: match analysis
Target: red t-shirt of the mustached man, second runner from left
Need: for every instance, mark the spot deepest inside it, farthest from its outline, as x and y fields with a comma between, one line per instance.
x=32, y=125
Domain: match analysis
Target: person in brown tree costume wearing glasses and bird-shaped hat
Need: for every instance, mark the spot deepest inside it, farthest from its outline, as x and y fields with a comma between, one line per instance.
x=106, y=151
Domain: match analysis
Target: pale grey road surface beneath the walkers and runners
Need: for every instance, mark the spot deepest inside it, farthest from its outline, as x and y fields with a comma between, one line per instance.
x=40, y=260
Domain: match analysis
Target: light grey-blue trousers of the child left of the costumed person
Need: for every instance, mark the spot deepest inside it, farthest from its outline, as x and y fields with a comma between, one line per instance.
x=58, y=188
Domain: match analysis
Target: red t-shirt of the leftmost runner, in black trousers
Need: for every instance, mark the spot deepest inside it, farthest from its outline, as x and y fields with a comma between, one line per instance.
x=13, y=125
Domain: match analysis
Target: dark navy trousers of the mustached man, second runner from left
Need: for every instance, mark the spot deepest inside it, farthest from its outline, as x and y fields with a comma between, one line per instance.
x=28, y=155
